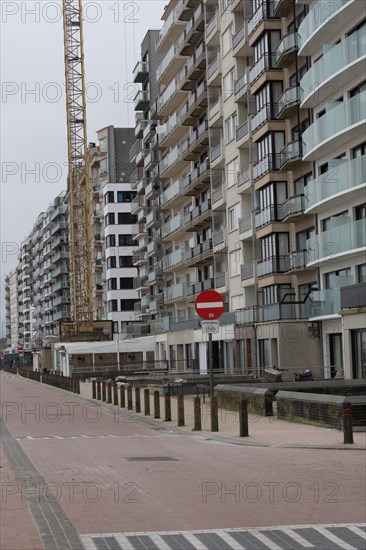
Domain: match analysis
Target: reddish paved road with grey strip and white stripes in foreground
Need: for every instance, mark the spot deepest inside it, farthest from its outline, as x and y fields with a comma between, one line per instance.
x=79, y=475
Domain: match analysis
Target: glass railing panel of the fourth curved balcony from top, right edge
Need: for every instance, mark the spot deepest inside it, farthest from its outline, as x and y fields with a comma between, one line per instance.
x=342, y=176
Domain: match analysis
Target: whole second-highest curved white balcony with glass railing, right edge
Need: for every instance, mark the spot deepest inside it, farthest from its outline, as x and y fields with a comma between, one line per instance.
x=340, y=64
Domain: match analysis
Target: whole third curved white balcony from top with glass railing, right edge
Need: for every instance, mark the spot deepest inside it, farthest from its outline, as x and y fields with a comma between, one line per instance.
x=341, y=123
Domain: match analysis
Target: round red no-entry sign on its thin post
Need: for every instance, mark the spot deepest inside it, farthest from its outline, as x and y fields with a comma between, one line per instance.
x=209, y=305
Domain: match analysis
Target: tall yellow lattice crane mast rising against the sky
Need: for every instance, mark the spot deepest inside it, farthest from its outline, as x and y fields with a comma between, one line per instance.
x=78, y=170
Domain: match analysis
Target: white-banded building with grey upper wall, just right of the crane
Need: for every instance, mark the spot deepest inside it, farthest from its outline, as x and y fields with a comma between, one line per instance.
x=114, y=296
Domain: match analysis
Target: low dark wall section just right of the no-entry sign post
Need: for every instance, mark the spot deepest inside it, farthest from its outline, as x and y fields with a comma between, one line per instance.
x=260, y=399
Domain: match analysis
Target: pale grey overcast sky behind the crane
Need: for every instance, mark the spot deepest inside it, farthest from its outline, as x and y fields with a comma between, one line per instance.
x=33, y=115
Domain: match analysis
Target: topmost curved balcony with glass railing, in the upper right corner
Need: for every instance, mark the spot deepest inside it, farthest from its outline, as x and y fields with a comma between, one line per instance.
x=324, y=21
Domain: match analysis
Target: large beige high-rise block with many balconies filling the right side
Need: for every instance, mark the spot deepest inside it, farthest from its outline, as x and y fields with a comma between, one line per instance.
x=251, y=180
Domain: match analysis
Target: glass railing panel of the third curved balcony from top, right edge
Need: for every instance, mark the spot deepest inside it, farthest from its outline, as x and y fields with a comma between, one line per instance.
x=338, y=118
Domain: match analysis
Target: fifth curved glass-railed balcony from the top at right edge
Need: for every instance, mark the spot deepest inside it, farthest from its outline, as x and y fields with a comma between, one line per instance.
x=345, y=240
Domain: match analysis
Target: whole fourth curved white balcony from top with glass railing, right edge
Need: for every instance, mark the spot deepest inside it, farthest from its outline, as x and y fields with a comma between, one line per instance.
x=333, y=187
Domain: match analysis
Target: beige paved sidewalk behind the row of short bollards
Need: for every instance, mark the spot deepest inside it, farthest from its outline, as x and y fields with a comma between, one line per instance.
x=263, y=431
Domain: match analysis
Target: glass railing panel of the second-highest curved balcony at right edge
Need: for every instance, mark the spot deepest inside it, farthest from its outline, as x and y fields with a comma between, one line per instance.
x=334, y=60
